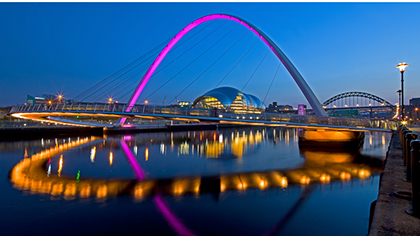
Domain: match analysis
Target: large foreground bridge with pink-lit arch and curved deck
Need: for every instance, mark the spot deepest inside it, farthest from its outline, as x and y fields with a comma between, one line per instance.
x=58, y=113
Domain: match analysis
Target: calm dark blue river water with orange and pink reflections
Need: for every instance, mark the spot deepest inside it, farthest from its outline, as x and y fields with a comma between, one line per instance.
x=245, y=181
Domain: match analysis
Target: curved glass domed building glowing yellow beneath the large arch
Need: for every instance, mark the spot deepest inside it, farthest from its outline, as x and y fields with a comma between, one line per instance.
x=231, y=100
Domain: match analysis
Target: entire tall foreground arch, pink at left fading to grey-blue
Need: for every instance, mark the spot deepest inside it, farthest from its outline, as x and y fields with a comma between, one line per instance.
x=310, y=96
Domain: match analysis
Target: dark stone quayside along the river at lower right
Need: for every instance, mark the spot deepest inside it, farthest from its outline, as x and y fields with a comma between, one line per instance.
x=389, y=216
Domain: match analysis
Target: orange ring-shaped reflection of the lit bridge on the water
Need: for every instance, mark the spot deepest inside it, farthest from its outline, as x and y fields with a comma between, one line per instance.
x=34, y=174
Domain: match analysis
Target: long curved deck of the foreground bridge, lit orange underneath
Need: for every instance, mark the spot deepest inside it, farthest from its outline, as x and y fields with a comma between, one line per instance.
x=54, y=113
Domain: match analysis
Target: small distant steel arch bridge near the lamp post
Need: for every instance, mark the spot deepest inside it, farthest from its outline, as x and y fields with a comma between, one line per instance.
x=356, y=99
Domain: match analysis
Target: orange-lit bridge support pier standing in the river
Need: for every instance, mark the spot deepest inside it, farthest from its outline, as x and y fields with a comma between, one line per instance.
x=331, y=139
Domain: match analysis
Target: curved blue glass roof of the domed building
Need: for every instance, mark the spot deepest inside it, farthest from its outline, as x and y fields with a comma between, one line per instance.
x=226, y=96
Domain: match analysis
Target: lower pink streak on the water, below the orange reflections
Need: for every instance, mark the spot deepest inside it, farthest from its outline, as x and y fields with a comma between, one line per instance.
x=173, y=221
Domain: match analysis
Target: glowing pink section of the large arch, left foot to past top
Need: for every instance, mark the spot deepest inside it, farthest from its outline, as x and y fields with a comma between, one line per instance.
x=169, y=46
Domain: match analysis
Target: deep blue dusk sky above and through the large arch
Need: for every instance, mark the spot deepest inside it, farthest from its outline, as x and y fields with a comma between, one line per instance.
x=50, y=48
